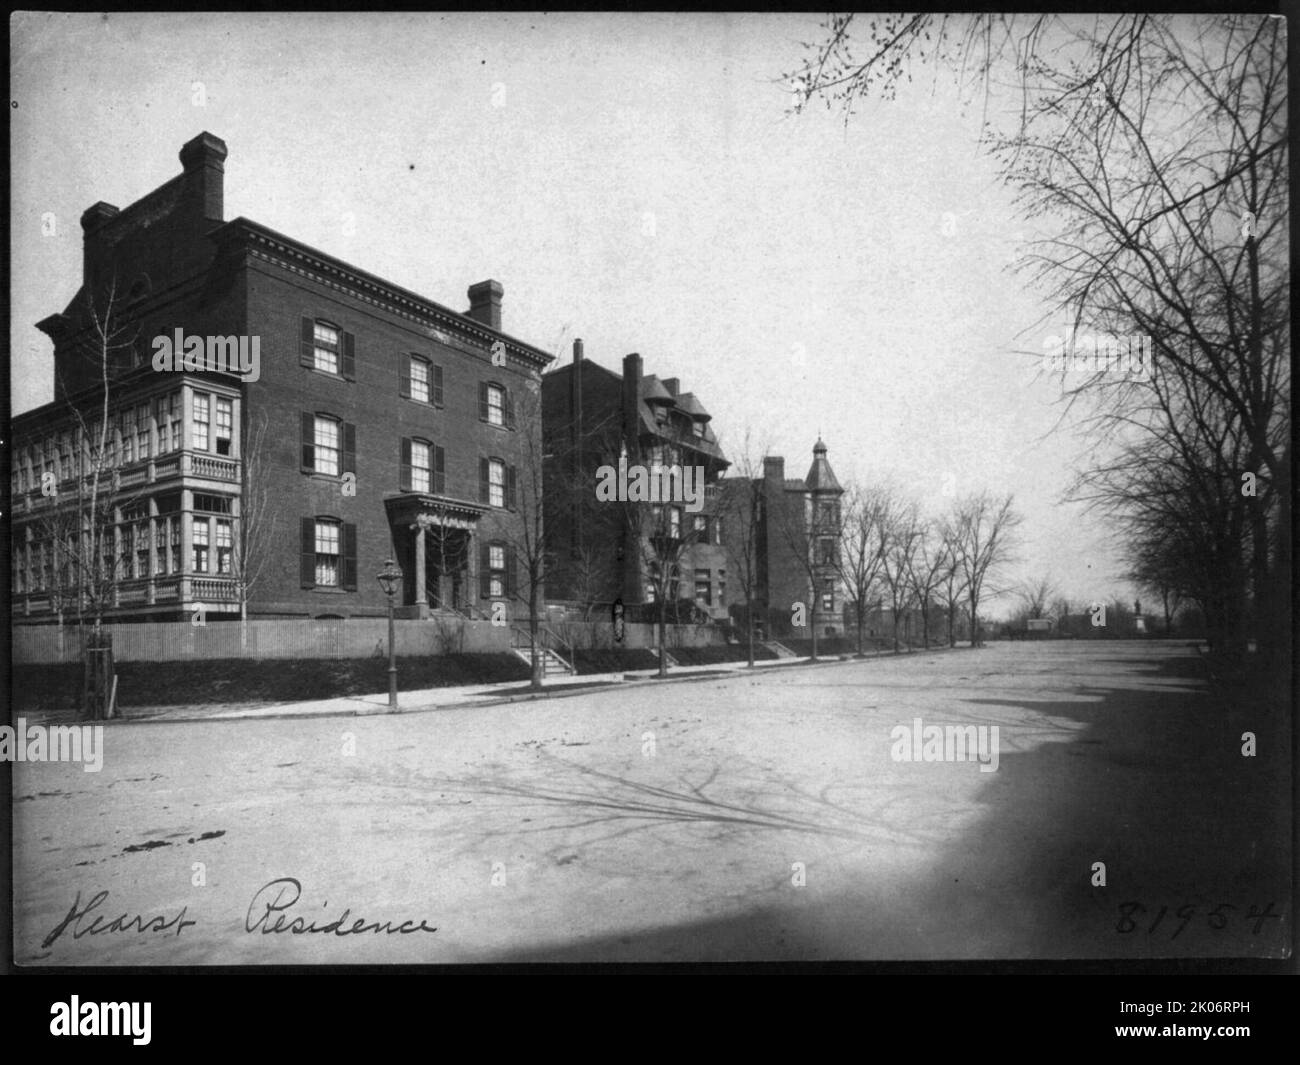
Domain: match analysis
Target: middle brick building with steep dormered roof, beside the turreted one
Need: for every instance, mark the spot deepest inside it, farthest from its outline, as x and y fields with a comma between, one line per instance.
x=596, y=418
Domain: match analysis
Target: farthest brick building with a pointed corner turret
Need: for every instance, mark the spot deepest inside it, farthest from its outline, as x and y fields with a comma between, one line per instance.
x=794, y=521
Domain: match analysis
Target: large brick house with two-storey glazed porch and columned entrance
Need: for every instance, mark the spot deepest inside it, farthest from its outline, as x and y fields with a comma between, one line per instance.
x=379, y=425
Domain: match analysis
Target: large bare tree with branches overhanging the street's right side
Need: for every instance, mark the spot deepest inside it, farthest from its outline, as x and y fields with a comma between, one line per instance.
x=1156, y=145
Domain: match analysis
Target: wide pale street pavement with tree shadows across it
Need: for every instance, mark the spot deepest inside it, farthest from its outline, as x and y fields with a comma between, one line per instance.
x=751, y=816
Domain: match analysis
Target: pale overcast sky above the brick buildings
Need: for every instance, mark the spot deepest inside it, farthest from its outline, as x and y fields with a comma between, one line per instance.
x=631, y=180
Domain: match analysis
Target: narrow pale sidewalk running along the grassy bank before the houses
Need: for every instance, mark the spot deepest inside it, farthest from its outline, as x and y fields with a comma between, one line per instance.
x=440, y=699
